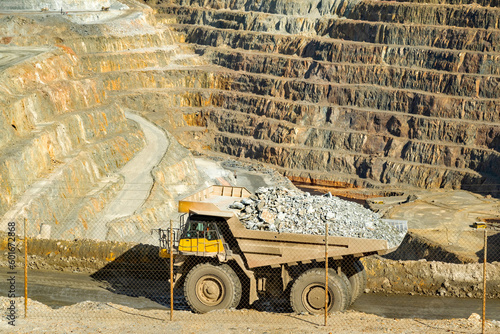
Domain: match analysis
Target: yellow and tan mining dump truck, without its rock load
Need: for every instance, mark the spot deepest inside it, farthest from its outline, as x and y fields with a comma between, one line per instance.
x=221, y=264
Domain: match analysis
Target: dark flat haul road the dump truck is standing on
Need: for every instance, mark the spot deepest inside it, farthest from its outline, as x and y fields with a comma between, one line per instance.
x=57, y=289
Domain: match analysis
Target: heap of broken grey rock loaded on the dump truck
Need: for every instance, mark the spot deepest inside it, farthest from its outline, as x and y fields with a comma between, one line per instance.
x=282, y=210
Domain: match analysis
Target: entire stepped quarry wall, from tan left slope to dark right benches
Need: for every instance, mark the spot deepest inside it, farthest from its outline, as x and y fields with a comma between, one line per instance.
x=334, y=91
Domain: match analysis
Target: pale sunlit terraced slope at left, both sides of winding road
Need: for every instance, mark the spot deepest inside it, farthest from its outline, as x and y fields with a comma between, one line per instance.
x=64, y=136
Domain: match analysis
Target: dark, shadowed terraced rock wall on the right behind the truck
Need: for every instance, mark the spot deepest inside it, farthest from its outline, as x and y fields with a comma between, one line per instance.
x=368, y=93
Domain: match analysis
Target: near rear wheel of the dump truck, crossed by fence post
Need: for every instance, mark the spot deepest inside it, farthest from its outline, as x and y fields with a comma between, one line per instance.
x=308, y=292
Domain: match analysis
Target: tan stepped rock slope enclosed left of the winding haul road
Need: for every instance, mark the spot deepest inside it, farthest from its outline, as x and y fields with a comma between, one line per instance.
x=58, y=124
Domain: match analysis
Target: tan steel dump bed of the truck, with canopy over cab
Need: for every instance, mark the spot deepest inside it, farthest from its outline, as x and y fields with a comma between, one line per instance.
x=265, y=248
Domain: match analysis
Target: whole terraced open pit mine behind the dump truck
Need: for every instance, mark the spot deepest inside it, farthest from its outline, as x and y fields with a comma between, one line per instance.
x=113, y=110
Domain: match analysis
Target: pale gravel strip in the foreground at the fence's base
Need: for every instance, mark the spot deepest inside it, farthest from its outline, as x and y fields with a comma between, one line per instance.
x=92, y=317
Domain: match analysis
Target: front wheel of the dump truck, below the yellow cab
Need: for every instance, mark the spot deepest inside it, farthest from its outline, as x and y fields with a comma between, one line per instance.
x=208, y=287
